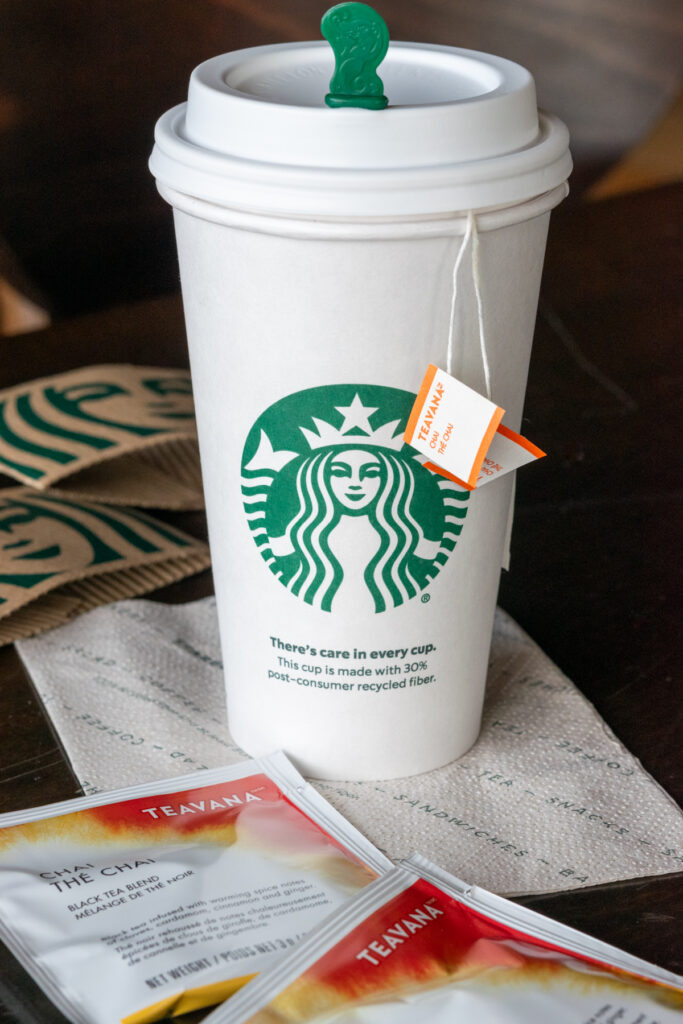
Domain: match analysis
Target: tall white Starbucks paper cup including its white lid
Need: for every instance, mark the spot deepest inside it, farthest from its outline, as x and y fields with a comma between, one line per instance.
x=356, y=589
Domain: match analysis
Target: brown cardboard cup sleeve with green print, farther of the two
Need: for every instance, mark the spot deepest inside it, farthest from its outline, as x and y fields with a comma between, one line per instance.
x=118, y=434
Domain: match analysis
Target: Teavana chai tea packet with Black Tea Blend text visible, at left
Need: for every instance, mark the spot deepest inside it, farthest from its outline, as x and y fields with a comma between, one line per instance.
x=168, y=897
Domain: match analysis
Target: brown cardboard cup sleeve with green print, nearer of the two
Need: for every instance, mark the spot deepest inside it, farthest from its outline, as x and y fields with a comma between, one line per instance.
x=60, y=559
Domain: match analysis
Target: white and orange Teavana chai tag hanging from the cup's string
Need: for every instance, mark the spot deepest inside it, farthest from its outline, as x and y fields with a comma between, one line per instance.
x=460, y=432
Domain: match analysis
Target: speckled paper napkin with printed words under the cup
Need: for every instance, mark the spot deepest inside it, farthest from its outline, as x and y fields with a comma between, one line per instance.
x=547, y=800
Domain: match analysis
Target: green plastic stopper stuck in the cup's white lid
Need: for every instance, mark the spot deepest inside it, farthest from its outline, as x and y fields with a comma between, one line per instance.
x=360, y=40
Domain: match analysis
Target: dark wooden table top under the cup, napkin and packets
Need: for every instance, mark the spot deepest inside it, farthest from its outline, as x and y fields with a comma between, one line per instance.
x=594, y=571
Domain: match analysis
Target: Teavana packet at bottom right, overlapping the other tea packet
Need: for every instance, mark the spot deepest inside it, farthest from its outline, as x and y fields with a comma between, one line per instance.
x=421, y=946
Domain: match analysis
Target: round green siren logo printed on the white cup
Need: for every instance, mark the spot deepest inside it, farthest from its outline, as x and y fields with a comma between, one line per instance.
x=344, y=513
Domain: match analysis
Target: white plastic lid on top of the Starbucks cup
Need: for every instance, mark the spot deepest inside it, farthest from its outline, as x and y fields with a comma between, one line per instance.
x=462, y=132
